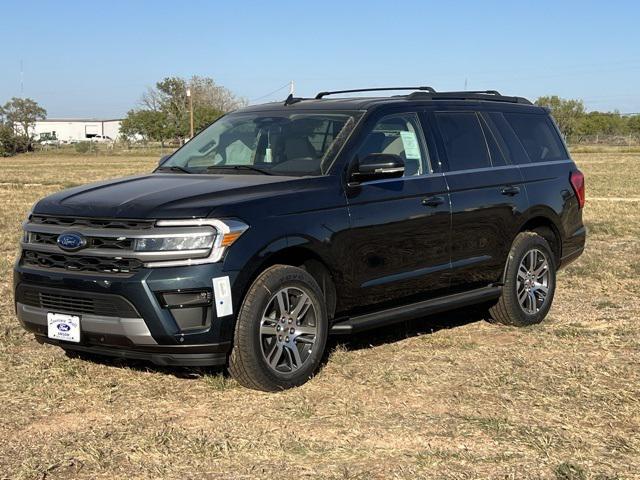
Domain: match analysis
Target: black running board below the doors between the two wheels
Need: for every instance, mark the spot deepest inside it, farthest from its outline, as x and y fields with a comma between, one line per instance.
x=414, y=310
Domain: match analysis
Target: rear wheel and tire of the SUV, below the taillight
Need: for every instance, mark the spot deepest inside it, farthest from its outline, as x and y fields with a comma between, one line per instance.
x=529, y=283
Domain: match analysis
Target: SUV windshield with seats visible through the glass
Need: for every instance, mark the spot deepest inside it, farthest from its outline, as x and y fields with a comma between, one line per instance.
x=266, y=143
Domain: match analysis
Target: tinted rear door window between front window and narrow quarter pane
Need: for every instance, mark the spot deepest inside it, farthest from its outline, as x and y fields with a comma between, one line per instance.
x=463, y=139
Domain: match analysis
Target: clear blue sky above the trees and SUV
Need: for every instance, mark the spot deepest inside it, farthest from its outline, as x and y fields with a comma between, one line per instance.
x=94, y=59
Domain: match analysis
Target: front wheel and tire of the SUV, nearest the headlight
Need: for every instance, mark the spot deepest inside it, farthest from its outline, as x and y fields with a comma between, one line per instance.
x=281, y=330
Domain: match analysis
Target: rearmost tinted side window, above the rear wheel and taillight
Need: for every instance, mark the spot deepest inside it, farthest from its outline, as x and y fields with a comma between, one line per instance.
x=538, y=136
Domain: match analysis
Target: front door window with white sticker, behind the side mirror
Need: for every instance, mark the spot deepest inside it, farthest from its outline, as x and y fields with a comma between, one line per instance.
x=397, y=135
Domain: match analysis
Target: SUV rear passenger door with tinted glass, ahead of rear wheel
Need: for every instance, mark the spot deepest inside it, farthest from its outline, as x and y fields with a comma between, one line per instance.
x=488, y=197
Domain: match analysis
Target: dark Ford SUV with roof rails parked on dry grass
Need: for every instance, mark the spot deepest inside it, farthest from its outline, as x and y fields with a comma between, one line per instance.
x=282, y=223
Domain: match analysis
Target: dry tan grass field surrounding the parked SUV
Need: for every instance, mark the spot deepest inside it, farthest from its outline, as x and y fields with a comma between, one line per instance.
x=450, y=396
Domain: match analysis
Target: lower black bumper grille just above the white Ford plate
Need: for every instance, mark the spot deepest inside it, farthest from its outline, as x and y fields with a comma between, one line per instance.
x=67, y=301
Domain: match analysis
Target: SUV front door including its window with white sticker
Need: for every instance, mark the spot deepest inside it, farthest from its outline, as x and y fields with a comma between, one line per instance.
x=399, y=241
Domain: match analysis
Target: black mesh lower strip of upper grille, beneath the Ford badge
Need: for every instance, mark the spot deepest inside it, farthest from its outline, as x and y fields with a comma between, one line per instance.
x=79, y=263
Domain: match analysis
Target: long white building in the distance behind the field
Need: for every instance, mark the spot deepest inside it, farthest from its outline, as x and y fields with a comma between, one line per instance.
x=76, y=130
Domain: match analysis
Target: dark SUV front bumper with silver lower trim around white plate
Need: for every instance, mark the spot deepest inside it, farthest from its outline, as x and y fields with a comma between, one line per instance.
x=136, y=325
